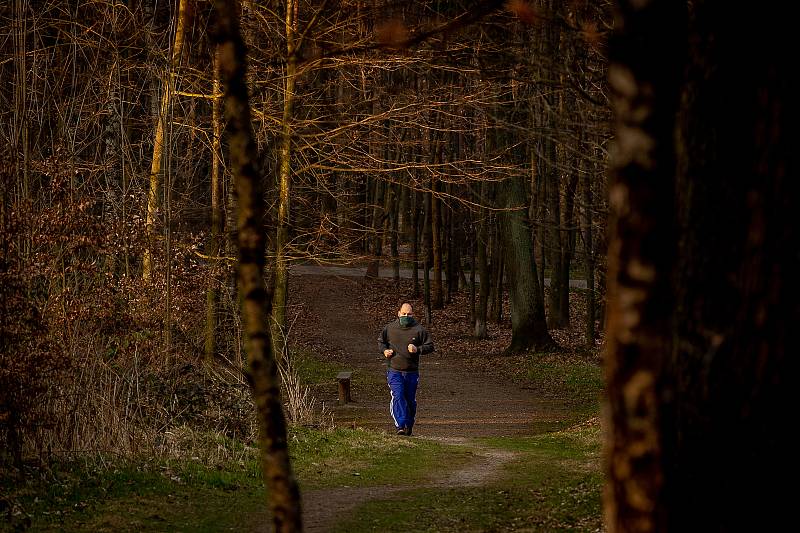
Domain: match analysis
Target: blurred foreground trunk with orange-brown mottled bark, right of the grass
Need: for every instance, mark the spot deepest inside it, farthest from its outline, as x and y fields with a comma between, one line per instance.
x=647, y=55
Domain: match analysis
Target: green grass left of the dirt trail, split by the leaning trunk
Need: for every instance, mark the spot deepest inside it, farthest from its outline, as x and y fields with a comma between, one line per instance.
x=198, y=494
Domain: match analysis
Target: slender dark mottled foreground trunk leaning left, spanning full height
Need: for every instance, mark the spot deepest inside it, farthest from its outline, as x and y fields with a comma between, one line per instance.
x=284, y=495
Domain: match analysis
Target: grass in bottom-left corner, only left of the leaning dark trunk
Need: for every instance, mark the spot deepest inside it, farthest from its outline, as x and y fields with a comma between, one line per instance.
x=99, y=494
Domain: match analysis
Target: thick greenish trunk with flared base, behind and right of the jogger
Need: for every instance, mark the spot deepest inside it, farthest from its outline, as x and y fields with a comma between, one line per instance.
x=528, y=323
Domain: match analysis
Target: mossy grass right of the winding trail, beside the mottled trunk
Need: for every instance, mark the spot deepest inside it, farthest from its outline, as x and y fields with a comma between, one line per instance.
x=554, y=484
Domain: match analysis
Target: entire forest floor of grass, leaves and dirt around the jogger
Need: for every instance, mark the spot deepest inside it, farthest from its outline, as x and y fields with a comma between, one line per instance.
x=501, y=443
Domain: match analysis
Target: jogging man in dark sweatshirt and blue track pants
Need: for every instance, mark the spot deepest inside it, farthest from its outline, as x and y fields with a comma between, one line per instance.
x=402, y=341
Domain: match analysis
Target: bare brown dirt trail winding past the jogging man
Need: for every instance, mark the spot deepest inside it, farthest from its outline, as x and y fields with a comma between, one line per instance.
x=454, y=405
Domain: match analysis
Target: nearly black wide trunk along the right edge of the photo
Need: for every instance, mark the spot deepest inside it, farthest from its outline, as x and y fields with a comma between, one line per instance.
x=737, y=273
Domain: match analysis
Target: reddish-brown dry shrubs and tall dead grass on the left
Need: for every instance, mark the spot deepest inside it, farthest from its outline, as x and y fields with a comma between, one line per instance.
x=85, y=366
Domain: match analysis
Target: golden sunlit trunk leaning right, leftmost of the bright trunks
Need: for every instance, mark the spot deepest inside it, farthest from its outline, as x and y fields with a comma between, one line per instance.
x=158, y=141
